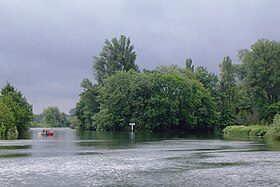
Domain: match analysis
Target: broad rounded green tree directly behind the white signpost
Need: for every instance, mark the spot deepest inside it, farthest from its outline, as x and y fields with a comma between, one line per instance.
x=157, y=101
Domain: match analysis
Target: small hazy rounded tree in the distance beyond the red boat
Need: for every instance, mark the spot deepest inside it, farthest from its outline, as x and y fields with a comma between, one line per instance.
x=54, y=117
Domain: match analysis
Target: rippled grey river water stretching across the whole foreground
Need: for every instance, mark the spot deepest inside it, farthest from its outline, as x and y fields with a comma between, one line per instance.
x=80, y=158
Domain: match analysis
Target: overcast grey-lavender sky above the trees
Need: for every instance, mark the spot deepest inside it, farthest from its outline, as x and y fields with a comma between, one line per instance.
x=46, y=46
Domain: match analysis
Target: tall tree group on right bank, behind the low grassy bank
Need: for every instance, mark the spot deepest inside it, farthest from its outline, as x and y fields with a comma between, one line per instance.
x=251, y=89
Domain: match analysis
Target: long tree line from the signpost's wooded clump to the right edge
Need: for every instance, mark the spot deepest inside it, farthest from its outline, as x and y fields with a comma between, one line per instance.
x=175, y=98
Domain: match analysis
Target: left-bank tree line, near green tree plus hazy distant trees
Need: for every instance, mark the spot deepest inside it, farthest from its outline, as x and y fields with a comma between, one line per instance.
x=16, y=115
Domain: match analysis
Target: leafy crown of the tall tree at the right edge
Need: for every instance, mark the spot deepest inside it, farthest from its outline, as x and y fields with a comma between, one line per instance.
x=262, y=64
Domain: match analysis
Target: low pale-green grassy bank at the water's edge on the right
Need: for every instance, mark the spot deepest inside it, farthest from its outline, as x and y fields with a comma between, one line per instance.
x=246, y=131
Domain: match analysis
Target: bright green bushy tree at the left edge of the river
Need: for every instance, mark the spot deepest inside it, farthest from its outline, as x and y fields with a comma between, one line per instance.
x=15, y=112
